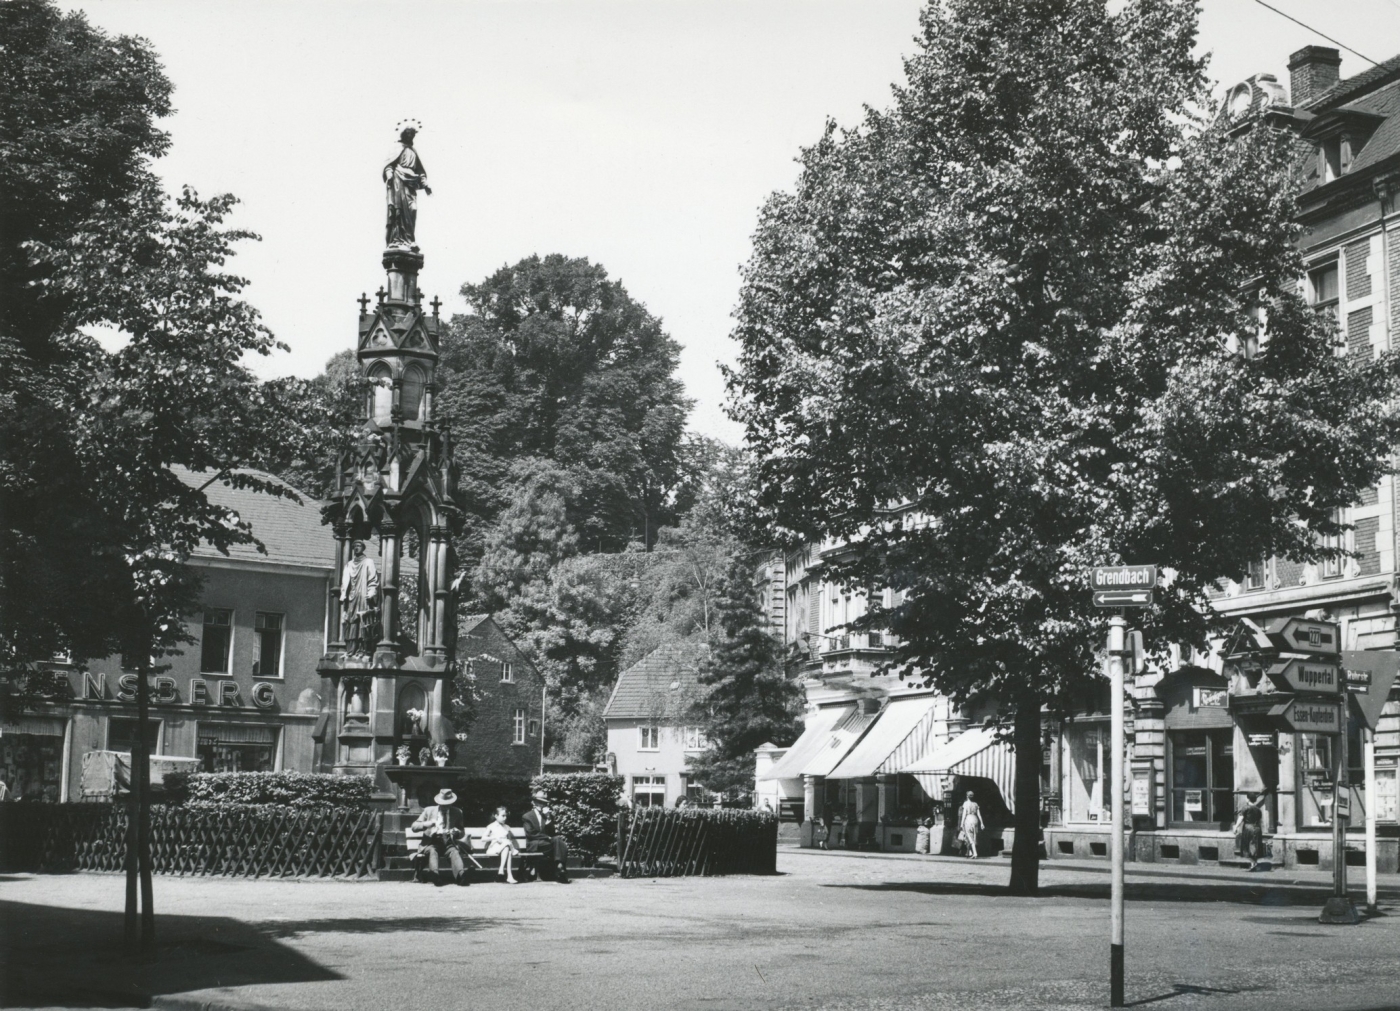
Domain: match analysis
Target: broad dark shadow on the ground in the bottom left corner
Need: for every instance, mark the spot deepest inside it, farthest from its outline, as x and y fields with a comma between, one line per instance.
x=51, y=956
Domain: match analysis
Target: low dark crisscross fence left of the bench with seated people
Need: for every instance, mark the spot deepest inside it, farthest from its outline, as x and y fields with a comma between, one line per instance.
x=247, y=842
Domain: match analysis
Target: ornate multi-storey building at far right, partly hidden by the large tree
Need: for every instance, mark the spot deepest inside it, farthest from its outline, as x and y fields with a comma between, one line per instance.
x=1198, y=743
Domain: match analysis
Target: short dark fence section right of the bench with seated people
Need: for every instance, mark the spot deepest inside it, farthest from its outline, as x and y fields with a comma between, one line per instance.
x=678, y=842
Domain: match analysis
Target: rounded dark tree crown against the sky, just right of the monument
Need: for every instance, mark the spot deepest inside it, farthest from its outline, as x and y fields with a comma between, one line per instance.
x=556, y=362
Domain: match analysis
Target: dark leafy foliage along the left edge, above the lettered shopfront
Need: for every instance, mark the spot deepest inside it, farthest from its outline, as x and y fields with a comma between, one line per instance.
x=97, y=523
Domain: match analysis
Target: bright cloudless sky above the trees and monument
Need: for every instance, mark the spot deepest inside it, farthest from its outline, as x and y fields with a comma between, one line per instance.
x=645, y=137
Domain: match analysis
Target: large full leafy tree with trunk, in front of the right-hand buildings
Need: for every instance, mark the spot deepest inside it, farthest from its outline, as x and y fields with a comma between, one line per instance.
x=992, y=340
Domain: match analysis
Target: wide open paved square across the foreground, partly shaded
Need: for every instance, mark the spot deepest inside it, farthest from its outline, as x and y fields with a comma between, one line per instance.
x=831, y=932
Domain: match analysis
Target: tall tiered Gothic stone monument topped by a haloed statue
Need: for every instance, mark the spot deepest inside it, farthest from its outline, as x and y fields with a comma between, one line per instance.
x=388, y=667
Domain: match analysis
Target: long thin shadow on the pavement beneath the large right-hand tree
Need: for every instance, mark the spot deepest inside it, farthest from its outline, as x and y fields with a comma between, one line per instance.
x=1247, y=894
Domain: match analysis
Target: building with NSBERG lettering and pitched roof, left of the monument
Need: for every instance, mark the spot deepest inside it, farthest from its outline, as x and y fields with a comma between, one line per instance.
x=244, y=697
